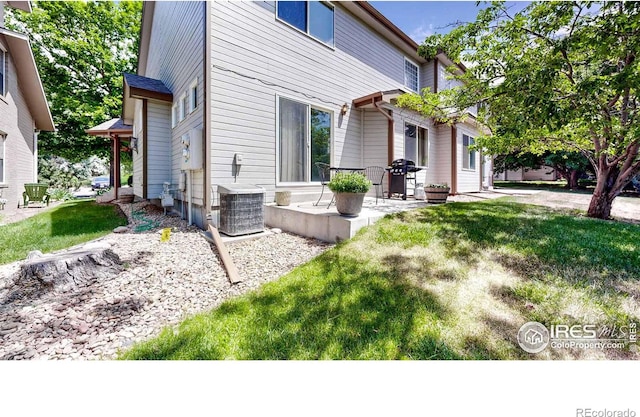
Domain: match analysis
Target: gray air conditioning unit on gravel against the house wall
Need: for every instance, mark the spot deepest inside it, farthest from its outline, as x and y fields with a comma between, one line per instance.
x=241, y=209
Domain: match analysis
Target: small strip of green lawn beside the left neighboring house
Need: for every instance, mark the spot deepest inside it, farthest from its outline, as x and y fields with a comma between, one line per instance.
x=68, y=224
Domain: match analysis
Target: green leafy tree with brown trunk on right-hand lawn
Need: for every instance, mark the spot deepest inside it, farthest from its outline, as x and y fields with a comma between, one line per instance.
x=557, y=76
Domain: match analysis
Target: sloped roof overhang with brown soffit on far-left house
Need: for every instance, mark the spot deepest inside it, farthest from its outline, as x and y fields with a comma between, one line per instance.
x=30, y=83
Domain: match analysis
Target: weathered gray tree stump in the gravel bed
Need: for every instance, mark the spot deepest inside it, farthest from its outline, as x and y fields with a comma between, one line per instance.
x=68, y=270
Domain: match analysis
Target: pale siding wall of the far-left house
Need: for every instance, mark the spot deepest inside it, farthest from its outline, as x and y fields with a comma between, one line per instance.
x=16, y=122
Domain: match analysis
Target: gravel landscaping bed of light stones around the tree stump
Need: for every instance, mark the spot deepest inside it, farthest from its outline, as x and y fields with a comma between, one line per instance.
x=161, y=284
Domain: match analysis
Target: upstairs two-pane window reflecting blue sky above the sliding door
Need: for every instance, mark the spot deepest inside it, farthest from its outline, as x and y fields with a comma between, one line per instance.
x=315, y=18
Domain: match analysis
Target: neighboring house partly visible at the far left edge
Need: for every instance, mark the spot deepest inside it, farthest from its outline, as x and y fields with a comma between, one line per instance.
x=23, y=111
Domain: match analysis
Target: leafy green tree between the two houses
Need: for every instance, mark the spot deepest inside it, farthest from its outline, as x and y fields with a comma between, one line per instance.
x=81, y=49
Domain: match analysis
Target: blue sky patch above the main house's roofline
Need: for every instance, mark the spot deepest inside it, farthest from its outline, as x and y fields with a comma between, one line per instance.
x=419, y=19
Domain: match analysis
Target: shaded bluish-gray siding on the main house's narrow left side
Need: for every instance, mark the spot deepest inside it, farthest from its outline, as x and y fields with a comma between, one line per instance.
x=176, y=54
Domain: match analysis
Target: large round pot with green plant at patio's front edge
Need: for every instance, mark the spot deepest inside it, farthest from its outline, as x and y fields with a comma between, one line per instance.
x=349, y=189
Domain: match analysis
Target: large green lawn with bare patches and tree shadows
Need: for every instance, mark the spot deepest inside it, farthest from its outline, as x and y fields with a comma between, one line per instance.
x=454, y=281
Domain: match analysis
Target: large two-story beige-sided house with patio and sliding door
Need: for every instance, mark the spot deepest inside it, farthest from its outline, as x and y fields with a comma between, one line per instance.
x=263, y=90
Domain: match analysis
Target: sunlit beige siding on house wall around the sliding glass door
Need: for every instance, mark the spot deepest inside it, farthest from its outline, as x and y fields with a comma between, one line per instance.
x=248, y=39
